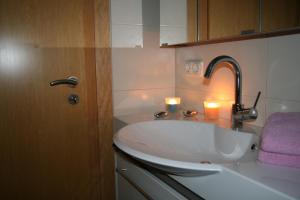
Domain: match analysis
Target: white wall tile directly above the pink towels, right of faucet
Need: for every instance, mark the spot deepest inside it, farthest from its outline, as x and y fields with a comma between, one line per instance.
x=284, y=67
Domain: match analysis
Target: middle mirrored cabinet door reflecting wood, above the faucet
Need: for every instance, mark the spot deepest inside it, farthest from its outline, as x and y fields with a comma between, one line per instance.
x=227, y=18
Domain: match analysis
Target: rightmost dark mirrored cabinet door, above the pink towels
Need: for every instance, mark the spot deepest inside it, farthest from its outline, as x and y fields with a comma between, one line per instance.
x=280, y=14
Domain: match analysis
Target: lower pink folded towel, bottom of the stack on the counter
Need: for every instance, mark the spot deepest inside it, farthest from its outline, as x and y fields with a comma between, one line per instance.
x=279, y=159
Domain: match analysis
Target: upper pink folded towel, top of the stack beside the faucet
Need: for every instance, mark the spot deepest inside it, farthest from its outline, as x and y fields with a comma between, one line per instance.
x=281, y=134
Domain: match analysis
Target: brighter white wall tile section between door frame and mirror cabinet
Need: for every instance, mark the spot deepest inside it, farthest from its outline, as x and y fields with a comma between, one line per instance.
x=127, y=36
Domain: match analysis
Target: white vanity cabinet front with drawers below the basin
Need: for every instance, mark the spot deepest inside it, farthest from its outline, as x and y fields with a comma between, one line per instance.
x=136, y=183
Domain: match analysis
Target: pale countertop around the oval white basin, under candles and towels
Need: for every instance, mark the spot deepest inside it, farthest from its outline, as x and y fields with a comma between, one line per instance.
x=282, y=180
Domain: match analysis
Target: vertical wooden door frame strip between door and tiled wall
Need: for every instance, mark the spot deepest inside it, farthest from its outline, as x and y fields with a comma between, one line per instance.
x=104, y=97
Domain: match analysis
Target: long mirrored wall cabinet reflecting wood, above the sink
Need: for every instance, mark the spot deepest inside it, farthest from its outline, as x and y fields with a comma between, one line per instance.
x=194, y=21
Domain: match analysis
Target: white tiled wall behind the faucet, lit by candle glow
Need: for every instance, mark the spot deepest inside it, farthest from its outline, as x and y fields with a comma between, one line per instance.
x=269, y=65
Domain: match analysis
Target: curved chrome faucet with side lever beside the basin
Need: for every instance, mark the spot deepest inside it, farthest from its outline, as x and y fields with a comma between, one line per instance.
x=239, y=113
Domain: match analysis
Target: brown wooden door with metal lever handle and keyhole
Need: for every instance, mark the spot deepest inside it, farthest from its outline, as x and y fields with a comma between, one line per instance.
x=49, y=149
